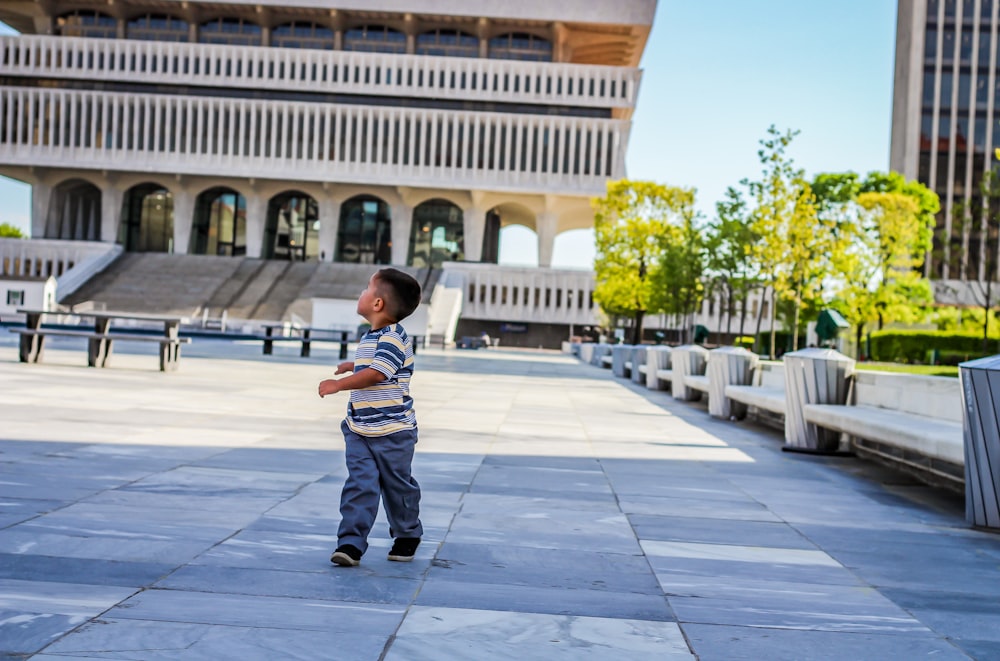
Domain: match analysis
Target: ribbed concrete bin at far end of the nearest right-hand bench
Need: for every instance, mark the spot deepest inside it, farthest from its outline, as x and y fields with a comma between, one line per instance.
x=814, y=376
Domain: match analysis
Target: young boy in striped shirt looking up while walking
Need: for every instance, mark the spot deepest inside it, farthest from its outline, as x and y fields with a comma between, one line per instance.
x=380, y=430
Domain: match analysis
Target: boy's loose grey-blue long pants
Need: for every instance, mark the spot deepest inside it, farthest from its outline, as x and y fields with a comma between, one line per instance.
x=379, y=465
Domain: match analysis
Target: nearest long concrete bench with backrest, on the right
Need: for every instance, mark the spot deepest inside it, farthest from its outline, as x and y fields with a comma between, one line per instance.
x=903, y=418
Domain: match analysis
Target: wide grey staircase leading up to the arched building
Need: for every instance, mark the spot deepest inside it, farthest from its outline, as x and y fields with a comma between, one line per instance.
x=214, y=288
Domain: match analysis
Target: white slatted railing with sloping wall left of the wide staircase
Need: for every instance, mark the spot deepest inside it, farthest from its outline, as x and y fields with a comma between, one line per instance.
x=71, y=263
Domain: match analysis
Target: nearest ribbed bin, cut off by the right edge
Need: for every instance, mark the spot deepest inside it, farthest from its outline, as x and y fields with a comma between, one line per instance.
x=981, y=431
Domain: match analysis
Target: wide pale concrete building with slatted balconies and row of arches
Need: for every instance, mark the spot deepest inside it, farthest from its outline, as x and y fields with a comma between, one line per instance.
x=402, y=132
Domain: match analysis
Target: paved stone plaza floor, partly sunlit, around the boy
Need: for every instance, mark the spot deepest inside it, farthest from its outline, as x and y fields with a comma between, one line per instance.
x=568, y=515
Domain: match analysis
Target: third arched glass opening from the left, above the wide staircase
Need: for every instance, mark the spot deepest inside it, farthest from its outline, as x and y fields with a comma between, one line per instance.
x=220, y=223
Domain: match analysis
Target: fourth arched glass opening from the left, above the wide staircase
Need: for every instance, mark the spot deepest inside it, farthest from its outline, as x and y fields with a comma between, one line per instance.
x=291, y=230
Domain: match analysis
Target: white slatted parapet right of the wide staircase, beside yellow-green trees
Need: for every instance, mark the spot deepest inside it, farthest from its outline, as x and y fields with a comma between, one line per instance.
x=506, y=293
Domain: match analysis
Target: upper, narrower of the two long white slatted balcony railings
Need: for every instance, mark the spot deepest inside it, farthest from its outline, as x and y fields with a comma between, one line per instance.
x=343, y=72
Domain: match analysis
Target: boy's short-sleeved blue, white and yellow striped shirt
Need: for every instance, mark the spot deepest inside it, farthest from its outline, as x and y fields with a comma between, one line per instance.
x=386, y=407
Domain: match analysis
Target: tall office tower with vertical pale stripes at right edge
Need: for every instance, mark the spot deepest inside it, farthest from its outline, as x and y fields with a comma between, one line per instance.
x=946, y=124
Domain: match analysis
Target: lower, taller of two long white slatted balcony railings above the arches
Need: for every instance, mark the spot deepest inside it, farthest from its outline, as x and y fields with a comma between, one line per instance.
x=310, y=141
